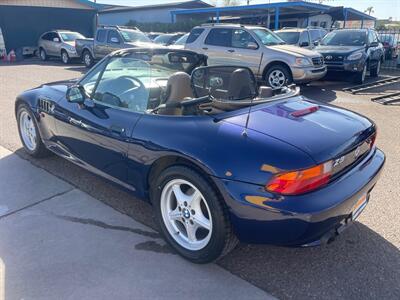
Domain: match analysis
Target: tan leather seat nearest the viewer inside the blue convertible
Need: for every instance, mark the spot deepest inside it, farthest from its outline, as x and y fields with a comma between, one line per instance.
x=179, y=88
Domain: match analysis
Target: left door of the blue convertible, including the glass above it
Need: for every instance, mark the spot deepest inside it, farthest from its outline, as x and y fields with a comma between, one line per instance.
x=96, y=134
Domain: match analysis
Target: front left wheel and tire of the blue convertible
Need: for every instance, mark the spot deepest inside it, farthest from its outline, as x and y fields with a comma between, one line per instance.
x=37, y=149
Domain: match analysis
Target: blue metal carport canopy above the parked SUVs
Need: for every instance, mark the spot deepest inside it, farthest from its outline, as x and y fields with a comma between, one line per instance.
x=286, y=8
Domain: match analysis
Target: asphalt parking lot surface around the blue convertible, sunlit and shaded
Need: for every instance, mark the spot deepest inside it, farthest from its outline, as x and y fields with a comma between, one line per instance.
x=363, y=263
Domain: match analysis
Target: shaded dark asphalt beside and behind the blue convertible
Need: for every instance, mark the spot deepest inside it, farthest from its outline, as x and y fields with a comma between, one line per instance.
x=360, y=264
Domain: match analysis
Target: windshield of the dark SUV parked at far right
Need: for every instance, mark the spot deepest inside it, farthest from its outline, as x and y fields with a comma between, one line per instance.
x=345, y=38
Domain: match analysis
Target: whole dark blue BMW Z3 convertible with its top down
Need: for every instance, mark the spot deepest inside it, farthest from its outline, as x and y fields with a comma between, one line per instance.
x=220, y=158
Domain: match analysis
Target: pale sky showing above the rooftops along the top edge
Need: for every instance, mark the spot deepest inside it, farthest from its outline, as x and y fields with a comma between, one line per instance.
x=383, y=8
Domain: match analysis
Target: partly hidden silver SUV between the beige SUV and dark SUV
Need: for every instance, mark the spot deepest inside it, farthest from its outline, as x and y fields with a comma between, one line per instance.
x=302, y=37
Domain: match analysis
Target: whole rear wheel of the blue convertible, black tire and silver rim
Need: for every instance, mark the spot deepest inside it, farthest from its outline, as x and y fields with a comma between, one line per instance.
x=206, y=245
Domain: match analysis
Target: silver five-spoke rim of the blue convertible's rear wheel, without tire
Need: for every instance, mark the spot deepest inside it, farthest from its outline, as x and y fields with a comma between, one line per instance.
x=186, y=214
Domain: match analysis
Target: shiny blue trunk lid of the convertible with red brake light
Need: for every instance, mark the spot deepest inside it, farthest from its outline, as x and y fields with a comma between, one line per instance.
x=323, y=134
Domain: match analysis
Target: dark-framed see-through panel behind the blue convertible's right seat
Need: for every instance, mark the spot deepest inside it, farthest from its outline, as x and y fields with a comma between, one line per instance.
x=227, y=83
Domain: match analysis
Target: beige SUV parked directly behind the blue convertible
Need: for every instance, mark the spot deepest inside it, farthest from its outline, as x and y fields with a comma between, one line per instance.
x=265, y=53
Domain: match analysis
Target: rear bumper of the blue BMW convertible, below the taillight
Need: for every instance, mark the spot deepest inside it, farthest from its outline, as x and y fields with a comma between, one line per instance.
x=309, y=219
